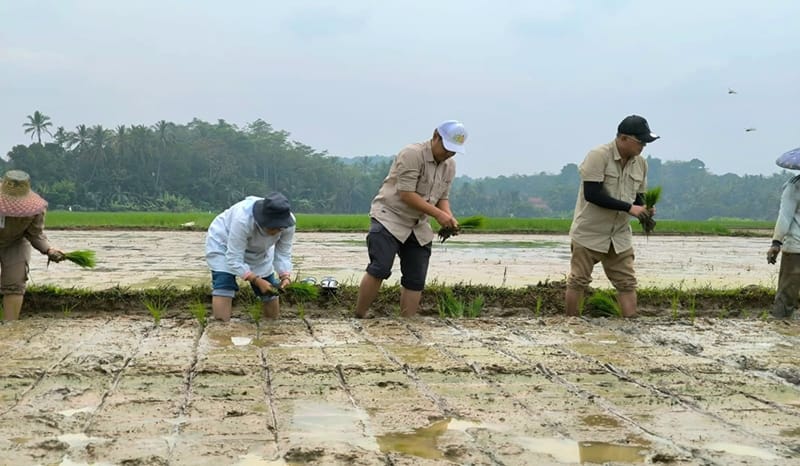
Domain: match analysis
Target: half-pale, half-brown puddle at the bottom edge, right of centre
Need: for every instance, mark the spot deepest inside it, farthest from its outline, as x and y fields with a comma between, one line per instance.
x=571, y=451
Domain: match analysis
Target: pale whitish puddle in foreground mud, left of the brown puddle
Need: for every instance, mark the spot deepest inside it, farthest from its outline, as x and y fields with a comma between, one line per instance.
x=325, y=422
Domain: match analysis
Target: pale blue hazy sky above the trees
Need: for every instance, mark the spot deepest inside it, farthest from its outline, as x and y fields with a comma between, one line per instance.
x=537, y=83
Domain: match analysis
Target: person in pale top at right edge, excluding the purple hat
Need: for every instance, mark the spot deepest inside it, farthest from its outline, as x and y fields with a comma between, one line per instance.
x=786, y=238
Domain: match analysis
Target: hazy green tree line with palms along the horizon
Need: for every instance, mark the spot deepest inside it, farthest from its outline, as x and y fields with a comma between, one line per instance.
x=209, y=166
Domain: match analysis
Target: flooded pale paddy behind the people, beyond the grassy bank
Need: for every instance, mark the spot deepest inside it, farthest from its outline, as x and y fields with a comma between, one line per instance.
x=141, y=259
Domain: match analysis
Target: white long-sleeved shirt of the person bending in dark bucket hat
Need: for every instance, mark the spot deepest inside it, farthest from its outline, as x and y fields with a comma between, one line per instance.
x=236, y=244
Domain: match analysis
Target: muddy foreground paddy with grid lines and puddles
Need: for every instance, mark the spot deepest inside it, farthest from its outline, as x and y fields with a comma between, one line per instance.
x=116, y=389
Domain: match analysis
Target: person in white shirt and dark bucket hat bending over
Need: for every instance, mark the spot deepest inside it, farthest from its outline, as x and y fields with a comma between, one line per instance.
x=251, y=240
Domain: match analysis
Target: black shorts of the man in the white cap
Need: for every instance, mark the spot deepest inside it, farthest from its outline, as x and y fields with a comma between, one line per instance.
x=383, y=247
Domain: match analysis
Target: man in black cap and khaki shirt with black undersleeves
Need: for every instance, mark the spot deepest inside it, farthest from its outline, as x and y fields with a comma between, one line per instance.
x=613, y=183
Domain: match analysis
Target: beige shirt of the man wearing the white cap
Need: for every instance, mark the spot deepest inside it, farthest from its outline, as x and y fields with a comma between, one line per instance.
x=414, y=169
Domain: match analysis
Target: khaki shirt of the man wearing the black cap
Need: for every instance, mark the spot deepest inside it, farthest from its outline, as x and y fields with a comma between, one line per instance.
x=595, y=227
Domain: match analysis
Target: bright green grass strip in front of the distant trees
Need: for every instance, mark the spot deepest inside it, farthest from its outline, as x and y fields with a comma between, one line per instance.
x=360, y=223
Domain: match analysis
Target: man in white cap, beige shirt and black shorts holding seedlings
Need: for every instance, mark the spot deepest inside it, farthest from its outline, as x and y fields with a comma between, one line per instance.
x=417, y=186
